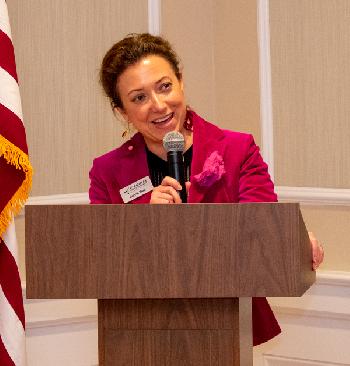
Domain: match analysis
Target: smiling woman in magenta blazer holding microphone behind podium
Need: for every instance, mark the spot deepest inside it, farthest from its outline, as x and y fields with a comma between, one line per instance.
x=141, y=76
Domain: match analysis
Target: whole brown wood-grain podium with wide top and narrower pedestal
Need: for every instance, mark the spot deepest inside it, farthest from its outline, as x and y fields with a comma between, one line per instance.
x=173, y=282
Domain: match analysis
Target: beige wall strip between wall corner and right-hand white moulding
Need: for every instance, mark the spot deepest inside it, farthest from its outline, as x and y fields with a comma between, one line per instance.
x=237, y=92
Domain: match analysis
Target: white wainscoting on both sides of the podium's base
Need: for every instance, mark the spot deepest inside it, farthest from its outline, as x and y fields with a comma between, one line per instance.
x=316, y=329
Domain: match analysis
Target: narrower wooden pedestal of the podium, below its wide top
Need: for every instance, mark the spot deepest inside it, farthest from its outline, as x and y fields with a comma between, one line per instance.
x=197, y=332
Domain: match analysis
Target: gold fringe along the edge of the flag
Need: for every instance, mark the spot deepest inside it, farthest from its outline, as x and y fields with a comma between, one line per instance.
x=15, y=156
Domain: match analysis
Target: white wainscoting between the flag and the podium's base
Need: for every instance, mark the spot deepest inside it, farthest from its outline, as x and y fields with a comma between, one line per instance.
x=61, y=332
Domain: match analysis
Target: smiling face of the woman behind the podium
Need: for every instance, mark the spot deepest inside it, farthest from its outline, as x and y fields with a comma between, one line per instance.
x=153, y=98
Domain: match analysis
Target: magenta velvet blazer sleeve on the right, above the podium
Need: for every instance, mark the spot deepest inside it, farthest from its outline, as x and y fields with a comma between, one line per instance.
x=255, y=183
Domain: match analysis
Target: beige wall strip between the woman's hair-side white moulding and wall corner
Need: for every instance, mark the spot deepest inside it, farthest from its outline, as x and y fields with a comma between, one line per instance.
x=193, y=41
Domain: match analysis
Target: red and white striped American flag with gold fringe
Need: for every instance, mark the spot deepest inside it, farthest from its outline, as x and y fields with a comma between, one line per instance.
x=15, y=183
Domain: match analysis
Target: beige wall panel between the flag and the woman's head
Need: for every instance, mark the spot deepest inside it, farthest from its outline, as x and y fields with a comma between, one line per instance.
x=59, y=46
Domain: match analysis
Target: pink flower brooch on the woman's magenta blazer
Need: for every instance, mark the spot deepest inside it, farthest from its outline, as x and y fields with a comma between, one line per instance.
x=213, y=170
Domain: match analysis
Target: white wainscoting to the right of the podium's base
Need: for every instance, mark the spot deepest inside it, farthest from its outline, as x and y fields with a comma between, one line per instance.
x=315, y=327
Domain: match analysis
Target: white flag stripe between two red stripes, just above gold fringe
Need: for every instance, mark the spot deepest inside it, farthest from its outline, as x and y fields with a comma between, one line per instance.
x=11, y=99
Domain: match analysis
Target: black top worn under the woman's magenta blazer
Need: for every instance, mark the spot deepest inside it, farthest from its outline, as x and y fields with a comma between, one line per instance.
x=158, y=168
